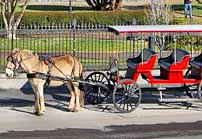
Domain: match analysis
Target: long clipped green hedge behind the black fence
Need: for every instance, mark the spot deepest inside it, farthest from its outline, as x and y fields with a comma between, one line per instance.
x=102, y=17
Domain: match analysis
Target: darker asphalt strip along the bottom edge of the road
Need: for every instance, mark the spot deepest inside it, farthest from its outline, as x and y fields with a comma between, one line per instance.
x=171, y=131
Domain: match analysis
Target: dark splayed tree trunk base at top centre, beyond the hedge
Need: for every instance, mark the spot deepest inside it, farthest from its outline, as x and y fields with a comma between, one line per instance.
x=105, y=4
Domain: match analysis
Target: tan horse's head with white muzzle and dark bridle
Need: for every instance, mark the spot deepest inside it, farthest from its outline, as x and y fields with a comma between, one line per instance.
x=13, y=62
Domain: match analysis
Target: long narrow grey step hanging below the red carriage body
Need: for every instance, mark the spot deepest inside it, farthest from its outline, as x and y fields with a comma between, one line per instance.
x=174, y=100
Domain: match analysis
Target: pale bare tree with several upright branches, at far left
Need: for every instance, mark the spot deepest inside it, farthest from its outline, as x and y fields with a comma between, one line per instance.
x=8, y=13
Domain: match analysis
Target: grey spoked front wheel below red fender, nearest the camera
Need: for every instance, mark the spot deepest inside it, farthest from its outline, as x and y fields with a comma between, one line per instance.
x=126, y=96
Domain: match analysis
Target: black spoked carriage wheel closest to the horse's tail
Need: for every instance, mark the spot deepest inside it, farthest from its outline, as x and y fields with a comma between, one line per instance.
x=95, y=94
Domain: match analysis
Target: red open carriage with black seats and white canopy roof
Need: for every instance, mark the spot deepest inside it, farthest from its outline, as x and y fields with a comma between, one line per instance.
x=125, y=91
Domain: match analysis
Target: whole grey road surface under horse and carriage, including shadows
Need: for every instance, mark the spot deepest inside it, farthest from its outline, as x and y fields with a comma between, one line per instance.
x=150, y=120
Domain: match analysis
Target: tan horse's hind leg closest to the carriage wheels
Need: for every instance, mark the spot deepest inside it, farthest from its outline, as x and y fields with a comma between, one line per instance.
x=77, y=93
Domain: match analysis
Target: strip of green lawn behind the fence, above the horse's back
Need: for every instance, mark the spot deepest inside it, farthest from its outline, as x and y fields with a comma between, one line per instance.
x=65, y=44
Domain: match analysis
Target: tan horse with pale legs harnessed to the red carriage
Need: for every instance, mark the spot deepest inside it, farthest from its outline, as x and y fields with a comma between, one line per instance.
x=64, y=66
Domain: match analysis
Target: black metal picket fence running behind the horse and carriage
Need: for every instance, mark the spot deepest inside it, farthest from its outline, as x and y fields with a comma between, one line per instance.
x=94, y=45
